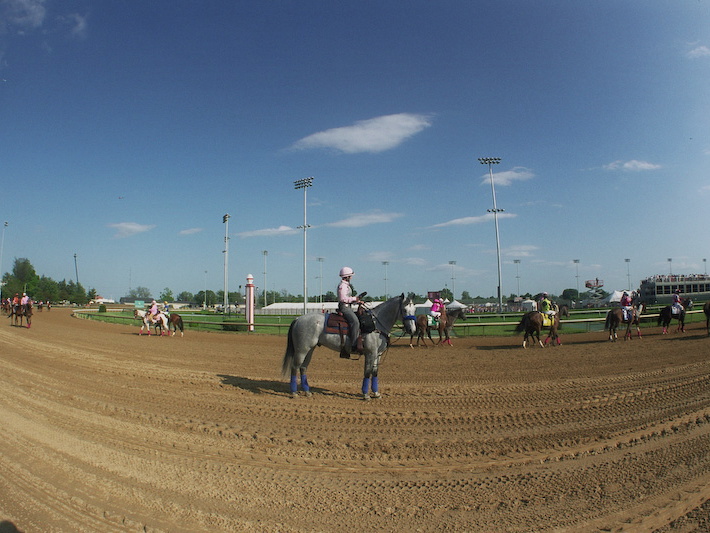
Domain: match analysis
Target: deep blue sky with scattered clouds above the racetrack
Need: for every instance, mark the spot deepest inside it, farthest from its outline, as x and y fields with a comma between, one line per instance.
x=128, y=129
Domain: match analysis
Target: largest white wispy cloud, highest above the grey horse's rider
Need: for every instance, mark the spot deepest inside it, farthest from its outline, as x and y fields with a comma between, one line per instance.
x=373, y=135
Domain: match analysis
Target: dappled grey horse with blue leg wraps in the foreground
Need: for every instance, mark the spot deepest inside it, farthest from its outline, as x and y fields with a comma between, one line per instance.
x=308, y=331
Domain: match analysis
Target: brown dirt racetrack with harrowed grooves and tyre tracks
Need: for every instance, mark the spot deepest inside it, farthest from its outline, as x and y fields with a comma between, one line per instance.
x=103, y=430
